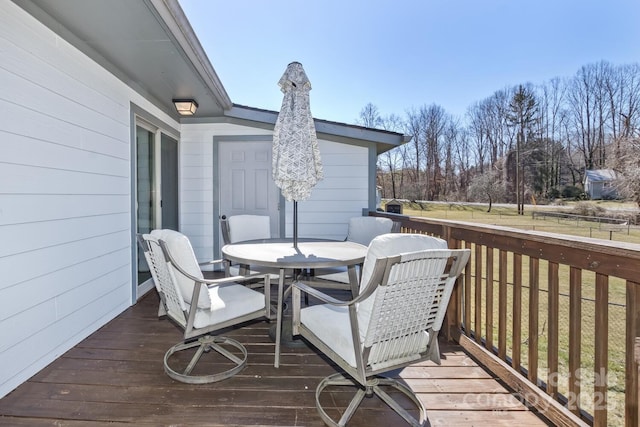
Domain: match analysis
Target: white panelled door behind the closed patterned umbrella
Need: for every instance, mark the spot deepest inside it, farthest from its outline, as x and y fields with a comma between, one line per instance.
x=246, y=185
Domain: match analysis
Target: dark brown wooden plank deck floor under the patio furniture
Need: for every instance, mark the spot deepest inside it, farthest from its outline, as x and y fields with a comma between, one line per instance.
x=115, y=377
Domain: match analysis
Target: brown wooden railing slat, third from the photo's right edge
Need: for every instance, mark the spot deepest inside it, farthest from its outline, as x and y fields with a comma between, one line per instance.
x=575, y=338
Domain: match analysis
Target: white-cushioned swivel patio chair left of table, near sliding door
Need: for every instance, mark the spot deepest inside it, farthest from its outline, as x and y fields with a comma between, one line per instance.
x=200, y=306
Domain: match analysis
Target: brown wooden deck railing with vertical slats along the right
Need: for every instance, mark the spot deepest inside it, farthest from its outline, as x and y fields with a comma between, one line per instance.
x=556, y=317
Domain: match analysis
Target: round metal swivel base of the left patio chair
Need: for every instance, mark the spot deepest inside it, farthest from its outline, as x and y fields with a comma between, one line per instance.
x=205, y=344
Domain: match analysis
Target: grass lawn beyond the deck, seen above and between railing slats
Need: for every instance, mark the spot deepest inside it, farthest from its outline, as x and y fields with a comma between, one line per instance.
x=508, y=217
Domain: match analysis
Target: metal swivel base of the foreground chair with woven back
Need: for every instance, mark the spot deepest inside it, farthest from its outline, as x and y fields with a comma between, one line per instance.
x=372, y=387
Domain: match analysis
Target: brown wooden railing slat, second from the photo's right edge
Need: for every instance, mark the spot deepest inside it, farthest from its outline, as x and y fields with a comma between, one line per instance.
x=601, y=345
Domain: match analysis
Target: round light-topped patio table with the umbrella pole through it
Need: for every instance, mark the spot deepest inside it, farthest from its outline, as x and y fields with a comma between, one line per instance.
x=308, y=254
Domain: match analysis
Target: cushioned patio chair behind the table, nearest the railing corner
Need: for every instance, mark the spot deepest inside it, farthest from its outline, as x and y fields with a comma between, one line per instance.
x=362, y=229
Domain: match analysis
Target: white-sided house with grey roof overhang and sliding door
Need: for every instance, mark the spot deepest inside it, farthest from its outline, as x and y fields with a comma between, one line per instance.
x=94, y=151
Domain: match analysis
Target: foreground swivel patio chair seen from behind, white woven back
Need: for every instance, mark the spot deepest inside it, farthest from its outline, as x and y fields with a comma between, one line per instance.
x=407, y=281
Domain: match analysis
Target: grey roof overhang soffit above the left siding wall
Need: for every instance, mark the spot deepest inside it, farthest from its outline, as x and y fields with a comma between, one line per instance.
x=148, y=44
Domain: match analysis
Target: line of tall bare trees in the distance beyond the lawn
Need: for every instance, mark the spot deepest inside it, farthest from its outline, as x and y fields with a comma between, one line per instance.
x=523, y=144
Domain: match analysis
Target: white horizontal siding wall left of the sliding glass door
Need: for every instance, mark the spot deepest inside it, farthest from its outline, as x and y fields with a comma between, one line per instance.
x=64, y=196
